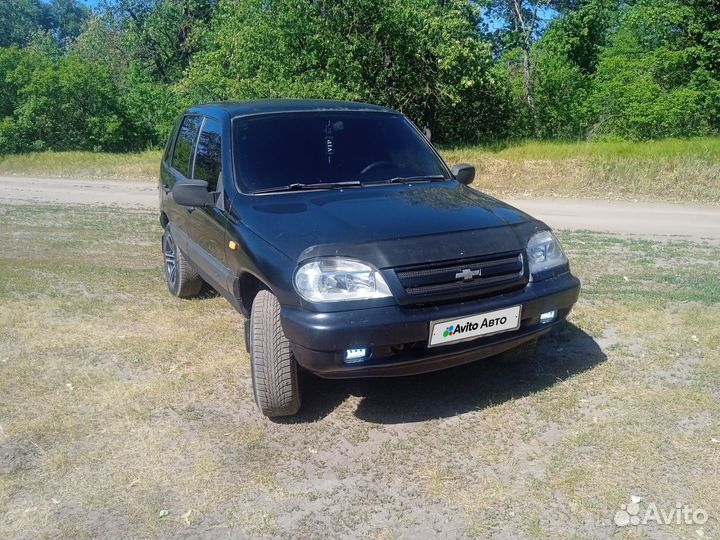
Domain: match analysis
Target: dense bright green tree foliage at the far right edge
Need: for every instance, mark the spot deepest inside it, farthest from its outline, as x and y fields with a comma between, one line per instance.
x=649, y=81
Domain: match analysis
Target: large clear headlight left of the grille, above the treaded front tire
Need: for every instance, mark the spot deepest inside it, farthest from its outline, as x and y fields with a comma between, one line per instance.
x=334, y=279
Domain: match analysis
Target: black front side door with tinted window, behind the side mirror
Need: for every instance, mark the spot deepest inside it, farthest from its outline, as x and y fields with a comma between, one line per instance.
x=206, y=226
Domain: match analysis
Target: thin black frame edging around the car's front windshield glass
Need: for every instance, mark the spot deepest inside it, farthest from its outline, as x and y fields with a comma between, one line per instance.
x=233, y=149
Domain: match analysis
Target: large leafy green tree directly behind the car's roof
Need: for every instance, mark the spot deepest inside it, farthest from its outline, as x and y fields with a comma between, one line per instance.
x=423, y=57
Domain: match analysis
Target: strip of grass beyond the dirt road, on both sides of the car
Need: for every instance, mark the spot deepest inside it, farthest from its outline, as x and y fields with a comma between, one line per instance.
x=669, y=170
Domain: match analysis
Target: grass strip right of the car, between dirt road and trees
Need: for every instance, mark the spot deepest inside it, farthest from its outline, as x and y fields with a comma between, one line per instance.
x=669, y=170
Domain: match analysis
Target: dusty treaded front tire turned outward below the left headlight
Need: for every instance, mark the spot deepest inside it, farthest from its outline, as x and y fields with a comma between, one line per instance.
x=272, y=364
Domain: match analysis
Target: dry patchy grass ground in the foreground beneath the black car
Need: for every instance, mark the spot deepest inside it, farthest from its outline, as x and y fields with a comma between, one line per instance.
x=127, y=412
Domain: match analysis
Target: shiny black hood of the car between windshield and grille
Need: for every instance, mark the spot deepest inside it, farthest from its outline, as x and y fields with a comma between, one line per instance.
x=385, y=223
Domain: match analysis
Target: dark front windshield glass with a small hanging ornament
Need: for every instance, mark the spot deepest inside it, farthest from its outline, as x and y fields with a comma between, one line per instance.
x=318, y=148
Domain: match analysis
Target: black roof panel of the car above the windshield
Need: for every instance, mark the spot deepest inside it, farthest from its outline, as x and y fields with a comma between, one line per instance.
x=267, y=106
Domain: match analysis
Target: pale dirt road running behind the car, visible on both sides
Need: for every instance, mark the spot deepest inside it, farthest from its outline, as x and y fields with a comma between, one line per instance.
x=656, y=220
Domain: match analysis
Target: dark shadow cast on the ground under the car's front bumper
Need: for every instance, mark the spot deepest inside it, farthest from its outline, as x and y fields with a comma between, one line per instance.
x=565, y=351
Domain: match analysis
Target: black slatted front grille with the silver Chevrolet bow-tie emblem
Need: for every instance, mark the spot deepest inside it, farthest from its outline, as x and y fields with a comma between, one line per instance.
x=463, y=278
